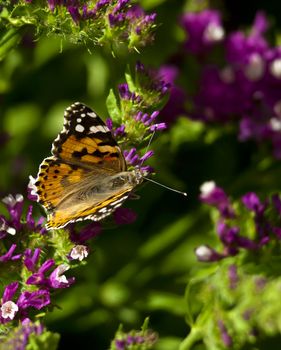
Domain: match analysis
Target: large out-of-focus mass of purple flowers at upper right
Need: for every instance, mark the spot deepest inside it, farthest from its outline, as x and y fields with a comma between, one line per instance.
x=245, y=88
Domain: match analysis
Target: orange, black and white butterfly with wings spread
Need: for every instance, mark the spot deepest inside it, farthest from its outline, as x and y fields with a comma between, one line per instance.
x=86, y=177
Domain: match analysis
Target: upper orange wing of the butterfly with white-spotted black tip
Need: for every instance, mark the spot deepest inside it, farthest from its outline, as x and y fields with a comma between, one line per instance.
x=86, y=141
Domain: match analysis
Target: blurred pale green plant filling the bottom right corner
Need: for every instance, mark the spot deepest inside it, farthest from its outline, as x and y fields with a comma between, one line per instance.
x=249, y=309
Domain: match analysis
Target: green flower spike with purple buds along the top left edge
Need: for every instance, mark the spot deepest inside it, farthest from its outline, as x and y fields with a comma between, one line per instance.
x=104, y=22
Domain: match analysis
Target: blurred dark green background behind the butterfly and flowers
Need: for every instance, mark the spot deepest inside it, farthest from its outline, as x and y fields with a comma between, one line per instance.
x=140, y=269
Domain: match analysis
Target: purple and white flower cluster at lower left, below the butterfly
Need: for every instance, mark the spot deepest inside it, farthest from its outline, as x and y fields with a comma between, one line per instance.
x=34, y=273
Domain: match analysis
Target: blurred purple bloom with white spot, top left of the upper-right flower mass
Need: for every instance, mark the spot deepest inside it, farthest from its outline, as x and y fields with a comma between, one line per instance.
x=203, y=30
